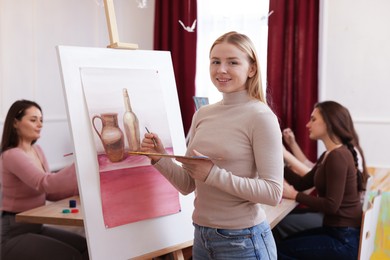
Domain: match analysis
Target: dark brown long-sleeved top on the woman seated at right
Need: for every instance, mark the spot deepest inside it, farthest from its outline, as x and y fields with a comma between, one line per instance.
x=335, y=179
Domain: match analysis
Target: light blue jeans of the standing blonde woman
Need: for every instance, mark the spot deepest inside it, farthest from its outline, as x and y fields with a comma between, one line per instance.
x=250, y=243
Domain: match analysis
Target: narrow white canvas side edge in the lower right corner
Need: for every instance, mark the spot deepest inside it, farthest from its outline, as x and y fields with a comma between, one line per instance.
x=368, y=228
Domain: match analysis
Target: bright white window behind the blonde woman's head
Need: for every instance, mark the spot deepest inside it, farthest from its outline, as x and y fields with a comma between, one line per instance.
x=217, y=17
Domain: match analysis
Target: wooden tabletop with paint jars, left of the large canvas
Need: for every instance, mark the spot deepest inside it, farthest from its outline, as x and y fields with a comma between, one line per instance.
x=52, y=214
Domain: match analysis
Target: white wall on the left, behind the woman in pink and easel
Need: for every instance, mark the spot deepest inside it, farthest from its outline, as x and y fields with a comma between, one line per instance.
x=29, y=32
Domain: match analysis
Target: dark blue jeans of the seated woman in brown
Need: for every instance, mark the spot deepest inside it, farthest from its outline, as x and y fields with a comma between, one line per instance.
x=321, y=243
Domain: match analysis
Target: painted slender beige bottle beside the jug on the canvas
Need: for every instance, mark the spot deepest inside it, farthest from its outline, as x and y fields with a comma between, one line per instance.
x=130, y=123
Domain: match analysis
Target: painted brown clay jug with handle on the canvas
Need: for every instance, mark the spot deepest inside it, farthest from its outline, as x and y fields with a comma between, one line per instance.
x=111, y=136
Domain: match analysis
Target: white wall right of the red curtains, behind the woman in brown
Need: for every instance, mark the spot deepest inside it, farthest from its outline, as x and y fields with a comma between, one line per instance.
x=355, y=70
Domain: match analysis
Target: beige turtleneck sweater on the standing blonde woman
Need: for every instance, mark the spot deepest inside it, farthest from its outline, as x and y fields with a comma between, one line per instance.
x=245, y=133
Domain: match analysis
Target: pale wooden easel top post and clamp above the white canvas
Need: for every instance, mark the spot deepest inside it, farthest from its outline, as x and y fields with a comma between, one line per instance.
x=113, y=29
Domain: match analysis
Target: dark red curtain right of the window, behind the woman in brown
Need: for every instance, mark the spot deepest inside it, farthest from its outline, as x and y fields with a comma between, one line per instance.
x=292, y=66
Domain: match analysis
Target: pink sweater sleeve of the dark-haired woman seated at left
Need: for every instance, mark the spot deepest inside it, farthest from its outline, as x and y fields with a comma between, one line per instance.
x=56, y=185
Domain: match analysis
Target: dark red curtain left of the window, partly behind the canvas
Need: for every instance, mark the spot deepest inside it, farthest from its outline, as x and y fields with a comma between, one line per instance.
x=169, y=35
